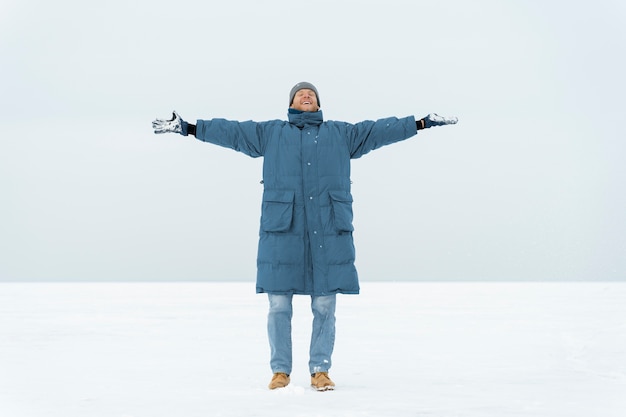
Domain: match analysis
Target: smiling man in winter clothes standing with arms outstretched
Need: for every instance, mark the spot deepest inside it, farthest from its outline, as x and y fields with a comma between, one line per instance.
x=305, y=239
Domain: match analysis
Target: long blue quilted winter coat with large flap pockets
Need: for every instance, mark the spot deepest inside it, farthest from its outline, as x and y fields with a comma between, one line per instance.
x=305, y=243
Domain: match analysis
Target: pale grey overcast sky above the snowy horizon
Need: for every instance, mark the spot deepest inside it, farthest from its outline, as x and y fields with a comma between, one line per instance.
x=530, y=184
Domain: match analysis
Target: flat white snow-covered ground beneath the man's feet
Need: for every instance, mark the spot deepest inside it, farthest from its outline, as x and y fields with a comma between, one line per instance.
x=403, y=349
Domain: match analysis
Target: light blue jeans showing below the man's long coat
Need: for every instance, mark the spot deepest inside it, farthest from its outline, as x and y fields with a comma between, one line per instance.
x=322, y=337
